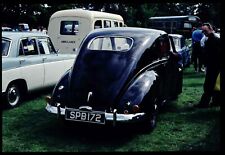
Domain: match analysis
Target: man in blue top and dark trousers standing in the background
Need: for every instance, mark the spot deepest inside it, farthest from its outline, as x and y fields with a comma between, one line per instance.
x=196, y=49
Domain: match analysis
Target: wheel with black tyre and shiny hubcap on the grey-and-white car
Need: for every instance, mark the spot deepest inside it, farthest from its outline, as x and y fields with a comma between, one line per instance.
x=13, y=95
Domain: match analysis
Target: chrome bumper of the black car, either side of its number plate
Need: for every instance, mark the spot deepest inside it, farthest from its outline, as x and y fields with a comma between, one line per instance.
x=108, y=116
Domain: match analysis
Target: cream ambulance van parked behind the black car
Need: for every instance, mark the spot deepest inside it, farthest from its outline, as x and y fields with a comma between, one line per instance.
x=67, y=28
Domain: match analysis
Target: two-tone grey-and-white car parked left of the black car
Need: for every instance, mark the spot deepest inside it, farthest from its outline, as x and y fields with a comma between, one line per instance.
x=30, y=62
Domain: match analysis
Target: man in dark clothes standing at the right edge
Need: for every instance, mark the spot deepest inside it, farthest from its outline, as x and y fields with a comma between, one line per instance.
x=212, y=62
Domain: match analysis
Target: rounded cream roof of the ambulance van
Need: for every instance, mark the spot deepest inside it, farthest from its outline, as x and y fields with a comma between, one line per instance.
x=85, y=14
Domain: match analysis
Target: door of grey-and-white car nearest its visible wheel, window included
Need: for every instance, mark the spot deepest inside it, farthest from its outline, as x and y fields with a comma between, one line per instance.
x=31, y=64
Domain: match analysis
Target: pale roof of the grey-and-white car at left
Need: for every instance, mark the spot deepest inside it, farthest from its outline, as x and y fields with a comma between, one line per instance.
x=17, y=35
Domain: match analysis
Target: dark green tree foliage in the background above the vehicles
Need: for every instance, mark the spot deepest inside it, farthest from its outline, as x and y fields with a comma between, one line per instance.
x=133, y=14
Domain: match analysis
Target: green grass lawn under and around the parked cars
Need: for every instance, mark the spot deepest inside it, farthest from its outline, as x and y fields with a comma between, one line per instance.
x=30, y=128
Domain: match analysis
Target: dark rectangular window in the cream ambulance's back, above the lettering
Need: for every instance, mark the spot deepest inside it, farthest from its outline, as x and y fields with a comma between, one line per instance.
x=69, y=27
